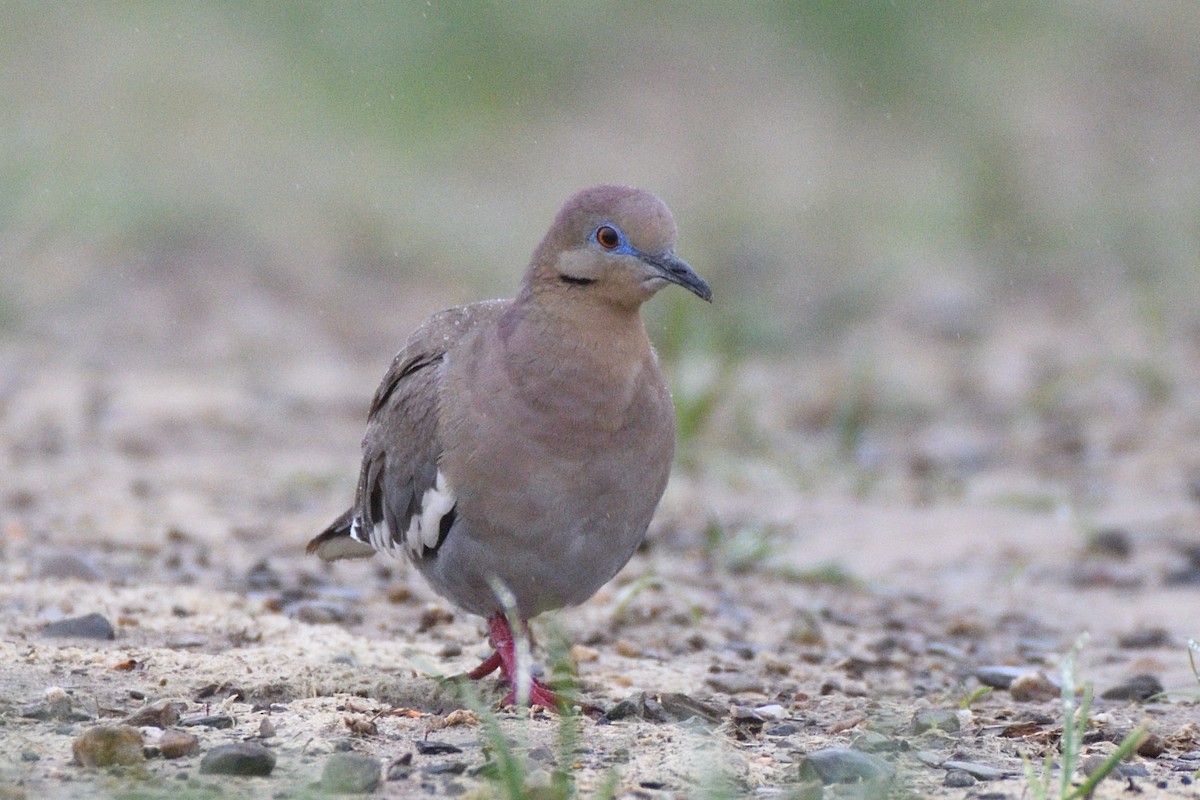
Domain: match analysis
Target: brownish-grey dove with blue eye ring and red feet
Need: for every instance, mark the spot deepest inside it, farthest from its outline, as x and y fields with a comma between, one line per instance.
x=526, y=443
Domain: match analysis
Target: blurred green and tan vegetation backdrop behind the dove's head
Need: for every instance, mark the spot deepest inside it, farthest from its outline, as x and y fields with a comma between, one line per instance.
x=823, y=158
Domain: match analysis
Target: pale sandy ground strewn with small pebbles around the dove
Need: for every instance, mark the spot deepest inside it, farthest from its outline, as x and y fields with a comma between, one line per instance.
x=1004, y=486
